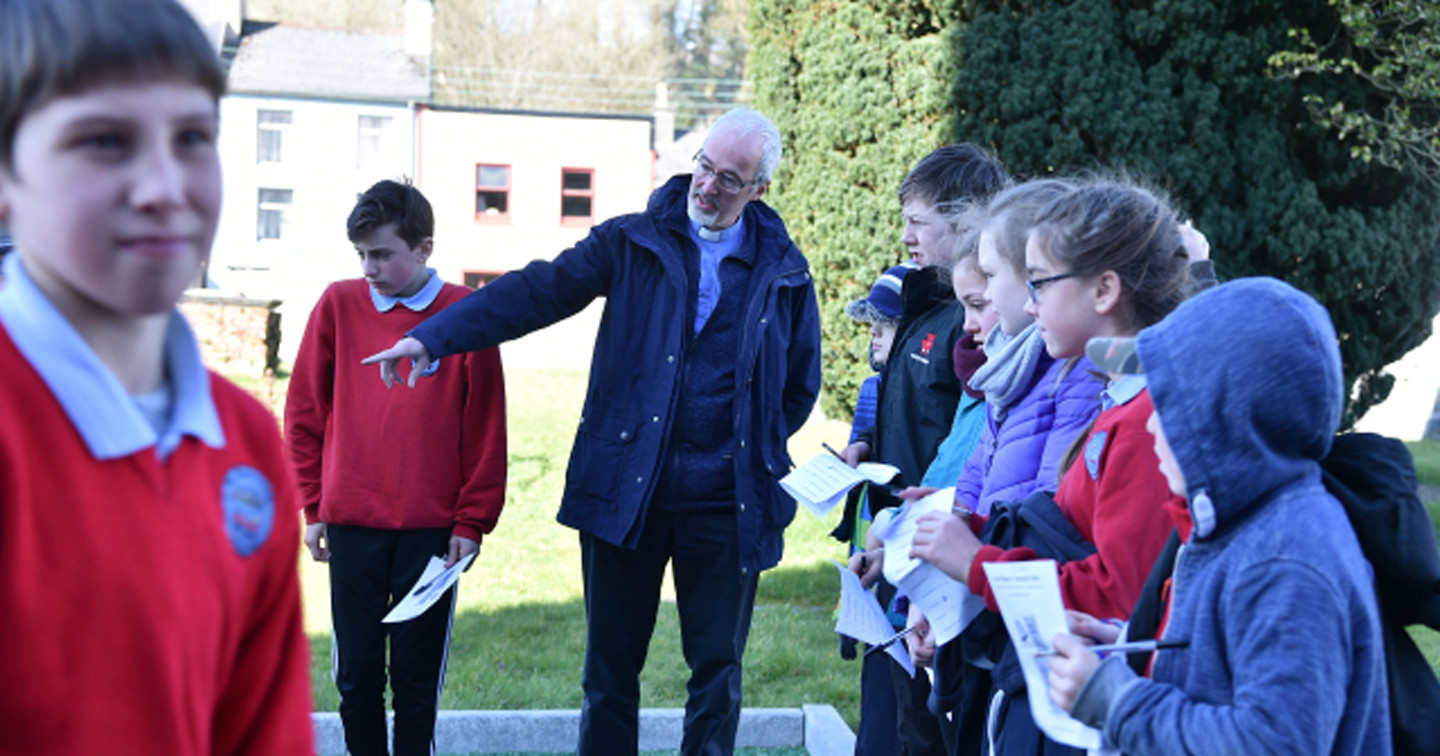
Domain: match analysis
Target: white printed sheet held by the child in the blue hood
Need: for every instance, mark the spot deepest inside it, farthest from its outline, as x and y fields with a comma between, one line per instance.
x=1029, y=597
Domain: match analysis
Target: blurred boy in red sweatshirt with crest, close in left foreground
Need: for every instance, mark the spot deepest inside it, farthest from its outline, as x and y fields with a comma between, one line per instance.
x=148, y=523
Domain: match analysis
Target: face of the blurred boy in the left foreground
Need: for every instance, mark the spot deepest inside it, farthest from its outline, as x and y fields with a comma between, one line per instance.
x=114, y=197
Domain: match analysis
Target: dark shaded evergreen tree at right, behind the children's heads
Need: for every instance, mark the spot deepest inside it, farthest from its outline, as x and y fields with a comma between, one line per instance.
x=1180, y=94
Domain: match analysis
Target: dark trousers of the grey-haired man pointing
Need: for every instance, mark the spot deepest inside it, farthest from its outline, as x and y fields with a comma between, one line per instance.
x=621, y=600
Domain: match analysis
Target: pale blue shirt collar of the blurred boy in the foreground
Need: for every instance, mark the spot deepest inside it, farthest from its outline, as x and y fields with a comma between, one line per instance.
x=100, y=408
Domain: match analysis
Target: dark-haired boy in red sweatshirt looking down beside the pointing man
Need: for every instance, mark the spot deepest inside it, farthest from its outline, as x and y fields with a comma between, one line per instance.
x=391, y=479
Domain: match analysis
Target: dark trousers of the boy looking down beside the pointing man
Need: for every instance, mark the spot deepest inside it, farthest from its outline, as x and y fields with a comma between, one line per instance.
x=371, y=571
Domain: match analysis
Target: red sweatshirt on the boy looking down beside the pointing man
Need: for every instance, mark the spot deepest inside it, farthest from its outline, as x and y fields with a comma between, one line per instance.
x=394, y=459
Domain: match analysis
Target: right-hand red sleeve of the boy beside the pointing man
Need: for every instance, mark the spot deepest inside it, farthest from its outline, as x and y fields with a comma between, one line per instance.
x=483, y=446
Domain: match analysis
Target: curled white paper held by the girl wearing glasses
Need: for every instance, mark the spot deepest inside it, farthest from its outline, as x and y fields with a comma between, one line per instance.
x=948, y=606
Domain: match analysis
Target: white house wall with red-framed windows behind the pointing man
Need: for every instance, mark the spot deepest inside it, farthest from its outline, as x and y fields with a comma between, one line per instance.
x=538, y=149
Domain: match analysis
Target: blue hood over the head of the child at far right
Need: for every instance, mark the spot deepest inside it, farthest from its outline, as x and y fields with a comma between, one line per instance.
x=1248, y=384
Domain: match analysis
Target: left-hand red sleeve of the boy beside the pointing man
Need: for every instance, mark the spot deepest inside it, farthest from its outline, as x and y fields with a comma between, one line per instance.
x=309, y=402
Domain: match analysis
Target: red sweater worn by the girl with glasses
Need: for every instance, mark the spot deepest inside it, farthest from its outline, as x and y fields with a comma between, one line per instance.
x=1120, y=509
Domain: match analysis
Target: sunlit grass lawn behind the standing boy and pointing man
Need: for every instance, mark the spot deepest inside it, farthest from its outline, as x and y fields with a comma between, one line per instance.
x=519, y=636
